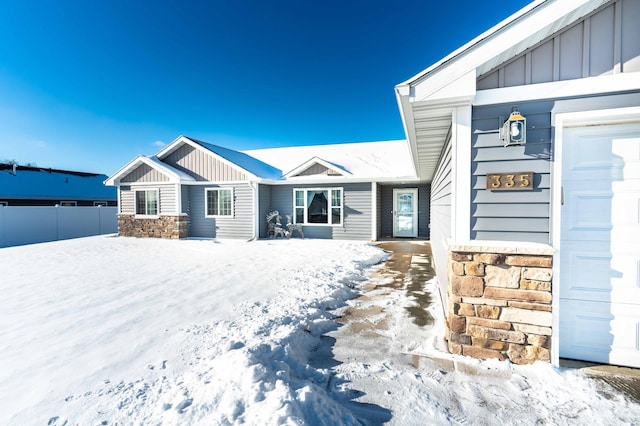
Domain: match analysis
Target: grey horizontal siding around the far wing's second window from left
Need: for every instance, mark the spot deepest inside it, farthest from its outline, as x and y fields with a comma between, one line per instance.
x=239, y=226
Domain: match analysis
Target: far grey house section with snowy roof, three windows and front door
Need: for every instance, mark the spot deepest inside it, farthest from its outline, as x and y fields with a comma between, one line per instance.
x=191, y=188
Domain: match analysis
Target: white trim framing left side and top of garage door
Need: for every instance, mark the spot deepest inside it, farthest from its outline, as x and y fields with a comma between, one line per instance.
x=561, y=121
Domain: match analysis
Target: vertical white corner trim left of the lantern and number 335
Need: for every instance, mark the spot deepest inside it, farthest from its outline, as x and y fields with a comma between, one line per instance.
x=461, y=173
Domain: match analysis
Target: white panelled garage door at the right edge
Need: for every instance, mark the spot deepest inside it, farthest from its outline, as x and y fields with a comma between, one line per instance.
x=600, y=244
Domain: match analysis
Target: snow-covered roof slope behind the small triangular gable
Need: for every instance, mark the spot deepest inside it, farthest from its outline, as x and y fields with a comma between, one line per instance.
x=365, y=160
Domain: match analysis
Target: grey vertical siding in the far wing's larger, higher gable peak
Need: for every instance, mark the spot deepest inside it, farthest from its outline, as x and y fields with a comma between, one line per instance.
x=204, y=167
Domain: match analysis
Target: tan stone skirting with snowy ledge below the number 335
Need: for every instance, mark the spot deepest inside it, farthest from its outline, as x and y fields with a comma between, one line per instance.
x=500, y=301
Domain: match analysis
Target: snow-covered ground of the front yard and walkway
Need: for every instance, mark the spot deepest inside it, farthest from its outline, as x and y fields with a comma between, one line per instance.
x=107, y=330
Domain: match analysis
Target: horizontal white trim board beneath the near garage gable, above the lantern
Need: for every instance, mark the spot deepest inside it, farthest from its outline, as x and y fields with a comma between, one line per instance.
x=559, y=89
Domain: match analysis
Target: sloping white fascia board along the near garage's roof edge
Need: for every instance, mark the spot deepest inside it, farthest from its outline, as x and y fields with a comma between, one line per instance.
x=520, y=29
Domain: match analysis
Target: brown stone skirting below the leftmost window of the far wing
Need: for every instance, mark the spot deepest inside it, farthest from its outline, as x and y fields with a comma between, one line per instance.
x=172, y=227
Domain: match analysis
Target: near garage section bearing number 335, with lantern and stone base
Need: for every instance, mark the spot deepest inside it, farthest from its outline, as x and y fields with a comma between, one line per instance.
x=530, y=138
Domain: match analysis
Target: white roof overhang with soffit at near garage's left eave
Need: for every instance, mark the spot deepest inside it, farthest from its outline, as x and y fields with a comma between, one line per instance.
x=428, y=100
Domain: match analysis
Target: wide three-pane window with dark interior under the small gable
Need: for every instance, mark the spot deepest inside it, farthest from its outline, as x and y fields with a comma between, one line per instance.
x=318, y=206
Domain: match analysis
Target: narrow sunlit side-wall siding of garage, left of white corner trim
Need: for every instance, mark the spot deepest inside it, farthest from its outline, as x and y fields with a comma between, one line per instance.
x=440, y=217
